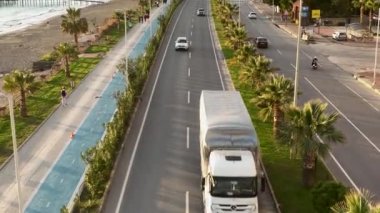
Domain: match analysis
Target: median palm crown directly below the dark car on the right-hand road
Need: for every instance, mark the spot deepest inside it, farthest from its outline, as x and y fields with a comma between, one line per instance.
x=255, y=71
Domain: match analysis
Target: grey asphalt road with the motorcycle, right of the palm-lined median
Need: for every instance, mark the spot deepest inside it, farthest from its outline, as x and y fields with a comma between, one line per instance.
x=355, y=162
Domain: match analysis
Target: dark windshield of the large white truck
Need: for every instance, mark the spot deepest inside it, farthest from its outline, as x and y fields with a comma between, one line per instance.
x=234, y=187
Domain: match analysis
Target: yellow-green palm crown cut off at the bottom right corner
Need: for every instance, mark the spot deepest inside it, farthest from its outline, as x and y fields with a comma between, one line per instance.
x=356, y=202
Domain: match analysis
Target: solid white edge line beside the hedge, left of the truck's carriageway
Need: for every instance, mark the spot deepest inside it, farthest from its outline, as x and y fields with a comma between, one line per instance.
x=128, y=172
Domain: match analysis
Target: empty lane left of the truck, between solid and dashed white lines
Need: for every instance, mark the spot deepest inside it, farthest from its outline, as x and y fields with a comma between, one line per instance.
x=161, y=172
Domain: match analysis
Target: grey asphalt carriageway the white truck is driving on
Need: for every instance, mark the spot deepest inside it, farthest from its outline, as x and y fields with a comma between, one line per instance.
x=165, y=172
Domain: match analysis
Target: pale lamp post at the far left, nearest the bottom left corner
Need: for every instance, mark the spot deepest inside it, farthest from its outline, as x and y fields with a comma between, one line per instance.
x=15, y=154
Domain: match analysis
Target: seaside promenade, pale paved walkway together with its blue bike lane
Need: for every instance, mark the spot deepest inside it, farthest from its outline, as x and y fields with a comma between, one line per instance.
x=50, y=162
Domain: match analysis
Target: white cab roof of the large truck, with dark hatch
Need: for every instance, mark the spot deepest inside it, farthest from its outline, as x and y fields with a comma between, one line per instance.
x=232, y=163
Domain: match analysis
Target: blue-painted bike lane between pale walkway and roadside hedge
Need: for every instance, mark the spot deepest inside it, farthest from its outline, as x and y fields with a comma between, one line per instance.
x=59, y=186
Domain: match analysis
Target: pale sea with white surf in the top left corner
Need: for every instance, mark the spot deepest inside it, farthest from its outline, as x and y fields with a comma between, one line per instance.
x=17, y=15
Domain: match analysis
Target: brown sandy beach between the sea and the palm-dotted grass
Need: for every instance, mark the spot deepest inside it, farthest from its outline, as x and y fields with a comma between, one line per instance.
x=19, y=49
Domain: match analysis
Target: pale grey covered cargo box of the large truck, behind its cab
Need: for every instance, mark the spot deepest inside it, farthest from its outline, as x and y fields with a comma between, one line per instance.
x=225, y=121
